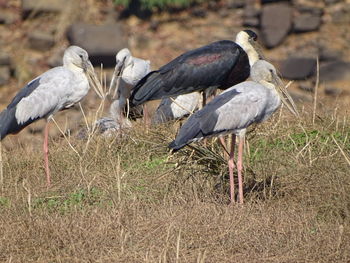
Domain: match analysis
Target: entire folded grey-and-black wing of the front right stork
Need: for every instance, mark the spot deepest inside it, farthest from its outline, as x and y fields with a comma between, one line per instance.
x=235, y=109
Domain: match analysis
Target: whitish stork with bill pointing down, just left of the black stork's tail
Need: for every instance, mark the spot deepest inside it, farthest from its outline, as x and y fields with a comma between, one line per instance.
x=130, y=70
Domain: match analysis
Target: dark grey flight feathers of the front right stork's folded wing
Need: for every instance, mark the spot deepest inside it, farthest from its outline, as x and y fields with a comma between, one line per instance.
x=202, y=123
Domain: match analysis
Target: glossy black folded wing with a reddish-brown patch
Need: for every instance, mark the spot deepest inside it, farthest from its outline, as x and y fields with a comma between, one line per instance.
x=208, y=66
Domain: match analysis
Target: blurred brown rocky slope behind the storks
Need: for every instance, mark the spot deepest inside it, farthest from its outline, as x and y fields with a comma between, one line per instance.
x=292, y=35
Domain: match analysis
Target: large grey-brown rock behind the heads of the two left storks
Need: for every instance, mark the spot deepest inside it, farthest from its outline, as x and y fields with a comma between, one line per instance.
x=101, y=42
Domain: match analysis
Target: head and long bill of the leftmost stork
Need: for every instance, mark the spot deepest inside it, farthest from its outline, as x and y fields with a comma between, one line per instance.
x=77, y=59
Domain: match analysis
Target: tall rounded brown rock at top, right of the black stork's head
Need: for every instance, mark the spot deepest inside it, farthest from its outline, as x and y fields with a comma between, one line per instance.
x=276, y=22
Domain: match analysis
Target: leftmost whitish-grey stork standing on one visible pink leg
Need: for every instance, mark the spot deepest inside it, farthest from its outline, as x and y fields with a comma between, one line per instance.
x=56, y=89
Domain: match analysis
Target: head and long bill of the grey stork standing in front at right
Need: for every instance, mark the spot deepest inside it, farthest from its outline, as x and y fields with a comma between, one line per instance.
x=264, y=72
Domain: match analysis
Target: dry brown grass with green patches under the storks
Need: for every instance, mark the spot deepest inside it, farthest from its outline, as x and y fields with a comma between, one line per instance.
x=128, y=200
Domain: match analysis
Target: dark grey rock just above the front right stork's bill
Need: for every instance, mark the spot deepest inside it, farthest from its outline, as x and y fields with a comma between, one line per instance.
x=298, y=68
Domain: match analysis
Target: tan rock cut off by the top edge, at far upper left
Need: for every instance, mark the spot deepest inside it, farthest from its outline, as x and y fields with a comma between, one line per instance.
x=42, y=6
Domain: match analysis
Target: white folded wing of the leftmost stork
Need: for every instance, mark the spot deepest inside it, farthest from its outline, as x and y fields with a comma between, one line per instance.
x=51, y=90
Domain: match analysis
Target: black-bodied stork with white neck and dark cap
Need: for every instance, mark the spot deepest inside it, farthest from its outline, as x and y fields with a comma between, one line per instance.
x=220, y=64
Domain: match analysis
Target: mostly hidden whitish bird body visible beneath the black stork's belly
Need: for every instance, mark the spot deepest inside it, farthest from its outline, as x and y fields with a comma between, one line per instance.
x=177, y=107
